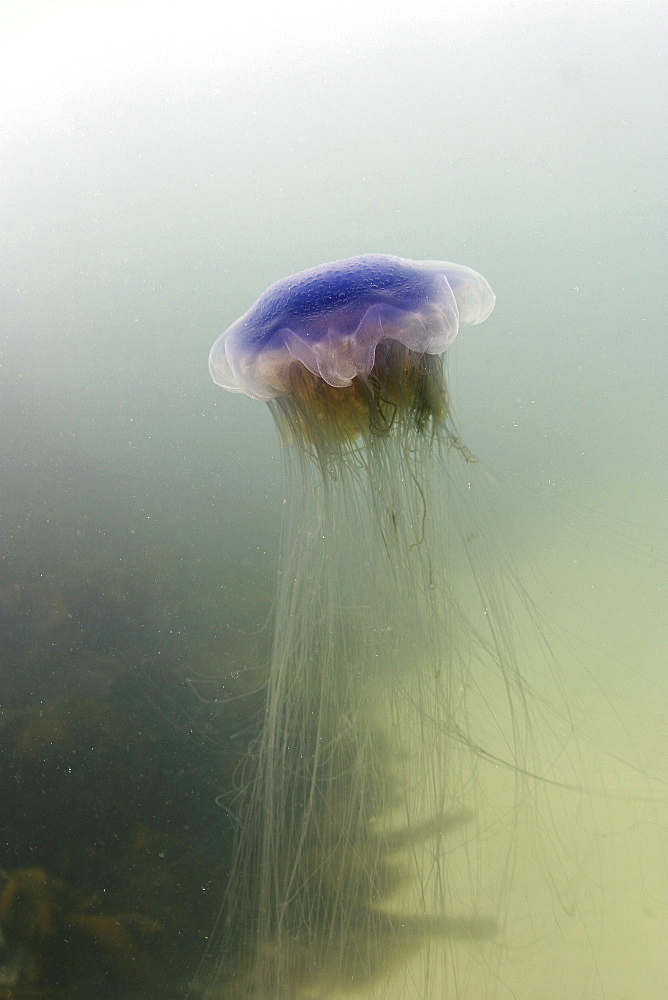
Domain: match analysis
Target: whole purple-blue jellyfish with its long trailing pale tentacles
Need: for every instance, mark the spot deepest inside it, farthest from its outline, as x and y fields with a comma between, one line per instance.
x=355, y=787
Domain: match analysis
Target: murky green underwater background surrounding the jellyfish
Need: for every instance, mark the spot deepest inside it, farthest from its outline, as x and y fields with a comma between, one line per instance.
x=161, y=165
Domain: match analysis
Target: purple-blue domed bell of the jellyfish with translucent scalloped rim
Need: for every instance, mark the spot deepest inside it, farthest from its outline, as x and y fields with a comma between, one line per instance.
x=332, y=318
